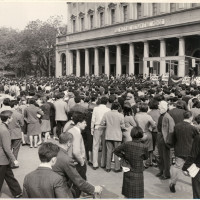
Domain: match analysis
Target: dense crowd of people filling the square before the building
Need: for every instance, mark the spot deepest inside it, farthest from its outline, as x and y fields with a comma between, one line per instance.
x=125, y=120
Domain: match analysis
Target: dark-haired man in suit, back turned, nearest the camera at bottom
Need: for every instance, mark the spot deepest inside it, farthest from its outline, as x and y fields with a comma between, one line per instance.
x=44, y=182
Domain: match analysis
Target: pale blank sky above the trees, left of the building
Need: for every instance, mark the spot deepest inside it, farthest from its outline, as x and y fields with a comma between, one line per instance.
x=18, y=14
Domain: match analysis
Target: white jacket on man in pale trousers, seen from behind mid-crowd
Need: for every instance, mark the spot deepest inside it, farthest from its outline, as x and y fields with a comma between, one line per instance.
x=98, y=114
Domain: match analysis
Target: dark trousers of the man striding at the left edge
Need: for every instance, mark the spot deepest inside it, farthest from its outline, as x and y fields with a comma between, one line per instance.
x=6, y=174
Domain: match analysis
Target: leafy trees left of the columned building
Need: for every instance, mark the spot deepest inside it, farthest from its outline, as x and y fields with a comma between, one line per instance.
x=27, y=51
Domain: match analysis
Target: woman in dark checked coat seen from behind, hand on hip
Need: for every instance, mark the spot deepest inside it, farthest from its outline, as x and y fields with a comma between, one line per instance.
x=133, y=153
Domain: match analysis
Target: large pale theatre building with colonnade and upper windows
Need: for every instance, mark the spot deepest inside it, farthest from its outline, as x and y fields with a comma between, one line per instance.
x=130, y=38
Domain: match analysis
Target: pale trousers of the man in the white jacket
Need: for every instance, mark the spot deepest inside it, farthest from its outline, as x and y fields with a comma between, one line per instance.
x=99, y=136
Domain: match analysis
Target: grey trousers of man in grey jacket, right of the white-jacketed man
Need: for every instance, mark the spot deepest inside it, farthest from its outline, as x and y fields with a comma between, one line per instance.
x=110, y=147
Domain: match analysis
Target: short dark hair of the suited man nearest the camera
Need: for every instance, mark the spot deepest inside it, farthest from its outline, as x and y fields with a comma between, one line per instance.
x=47, y=151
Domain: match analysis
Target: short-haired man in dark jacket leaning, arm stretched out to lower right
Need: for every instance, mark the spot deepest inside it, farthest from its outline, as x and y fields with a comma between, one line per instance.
x=66, y=168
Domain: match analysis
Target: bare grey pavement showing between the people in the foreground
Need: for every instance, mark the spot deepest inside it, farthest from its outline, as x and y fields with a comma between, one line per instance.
x=154, y=188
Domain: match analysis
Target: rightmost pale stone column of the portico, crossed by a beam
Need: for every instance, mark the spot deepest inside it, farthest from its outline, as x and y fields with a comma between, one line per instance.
x=181, y=63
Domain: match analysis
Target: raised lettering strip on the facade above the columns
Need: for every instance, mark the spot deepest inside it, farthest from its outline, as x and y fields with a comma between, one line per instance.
x=158, y=22
